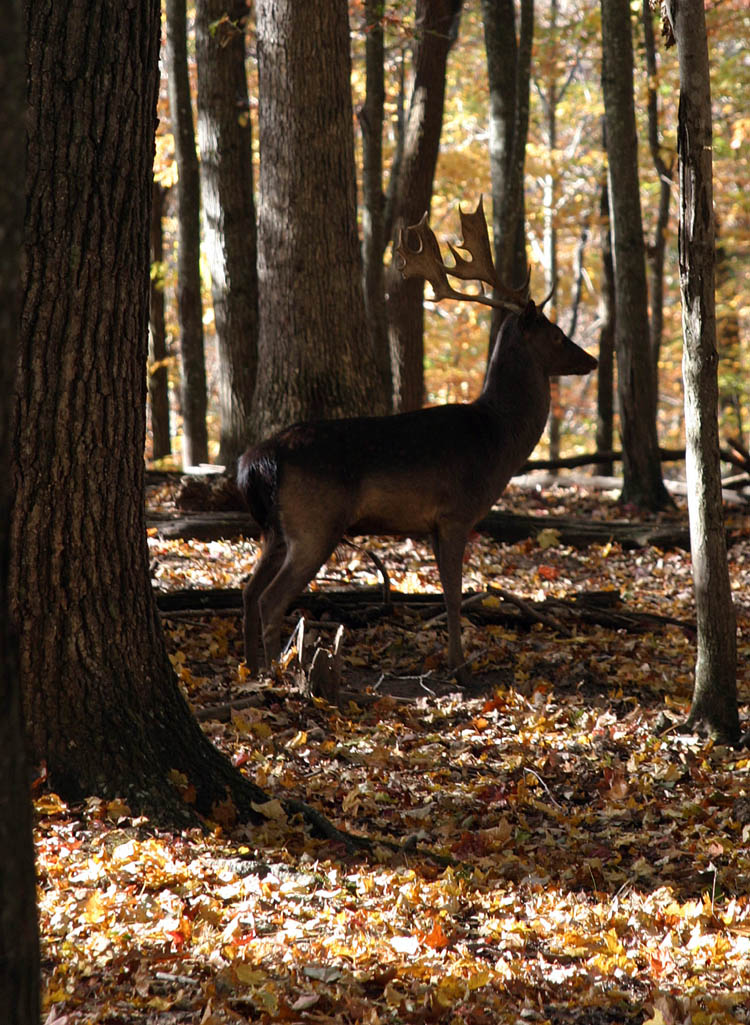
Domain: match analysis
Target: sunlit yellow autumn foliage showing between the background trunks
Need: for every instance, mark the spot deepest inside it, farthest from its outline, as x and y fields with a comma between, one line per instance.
x=563, y=191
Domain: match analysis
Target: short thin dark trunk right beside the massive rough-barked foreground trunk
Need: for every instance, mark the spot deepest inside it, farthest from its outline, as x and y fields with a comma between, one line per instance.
x=158, y=368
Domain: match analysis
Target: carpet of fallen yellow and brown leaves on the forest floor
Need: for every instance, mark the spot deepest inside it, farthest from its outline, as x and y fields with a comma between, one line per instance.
x=568, y=854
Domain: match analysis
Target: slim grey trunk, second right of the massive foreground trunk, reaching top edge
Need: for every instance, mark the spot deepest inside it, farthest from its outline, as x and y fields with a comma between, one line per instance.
x=194, y=401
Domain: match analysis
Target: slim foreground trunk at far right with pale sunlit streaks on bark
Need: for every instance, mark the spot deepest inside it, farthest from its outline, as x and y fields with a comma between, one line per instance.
x=715, y=695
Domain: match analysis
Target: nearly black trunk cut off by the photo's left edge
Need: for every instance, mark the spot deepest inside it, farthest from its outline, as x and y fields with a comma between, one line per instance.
x=19, y=940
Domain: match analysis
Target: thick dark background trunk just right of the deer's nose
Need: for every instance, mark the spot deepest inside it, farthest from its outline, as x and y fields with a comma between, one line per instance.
x=643, y=484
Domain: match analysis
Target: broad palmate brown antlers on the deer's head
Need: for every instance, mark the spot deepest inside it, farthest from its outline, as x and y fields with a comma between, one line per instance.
x=427, y=263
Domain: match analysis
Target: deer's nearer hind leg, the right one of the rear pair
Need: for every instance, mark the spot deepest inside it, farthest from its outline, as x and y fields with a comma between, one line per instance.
x=303, y=558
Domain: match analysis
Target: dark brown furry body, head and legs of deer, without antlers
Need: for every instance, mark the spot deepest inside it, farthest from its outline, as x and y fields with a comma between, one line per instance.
x=432, y=473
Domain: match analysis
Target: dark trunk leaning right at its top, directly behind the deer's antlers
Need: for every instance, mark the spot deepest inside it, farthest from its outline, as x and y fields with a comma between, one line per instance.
x=436, y=22
